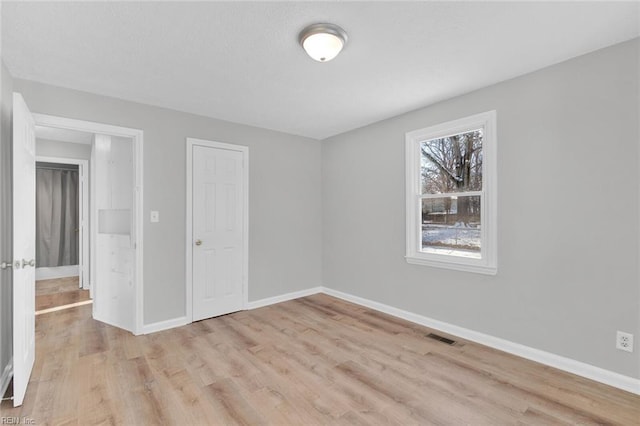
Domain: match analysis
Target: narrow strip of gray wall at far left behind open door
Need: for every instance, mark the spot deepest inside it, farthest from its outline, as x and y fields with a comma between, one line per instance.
x=6, y=311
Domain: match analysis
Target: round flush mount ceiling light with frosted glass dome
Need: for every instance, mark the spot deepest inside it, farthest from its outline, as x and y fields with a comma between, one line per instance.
x=323, y=42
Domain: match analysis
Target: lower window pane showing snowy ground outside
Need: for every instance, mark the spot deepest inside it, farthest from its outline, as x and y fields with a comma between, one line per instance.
x=451, y=225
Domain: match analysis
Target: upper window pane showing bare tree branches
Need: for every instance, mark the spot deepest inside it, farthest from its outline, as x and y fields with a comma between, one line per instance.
x=452, y=164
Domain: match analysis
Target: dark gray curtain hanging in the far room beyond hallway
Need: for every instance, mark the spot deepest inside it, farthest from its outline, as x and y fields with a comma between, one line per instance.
x=56, y=217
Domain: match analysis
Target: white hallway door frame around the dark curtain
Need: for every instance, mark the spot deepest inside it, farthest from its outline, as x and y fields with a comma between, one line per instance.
x=83, y=203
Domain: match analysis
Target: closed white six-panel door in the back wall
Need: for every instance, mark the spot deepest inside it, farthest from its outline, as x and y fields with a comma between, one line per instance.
x=218, y=237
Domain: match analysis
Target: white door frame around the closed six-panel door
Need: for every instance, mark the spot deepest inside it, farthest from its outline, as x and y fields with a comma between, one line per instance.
x=191, y=142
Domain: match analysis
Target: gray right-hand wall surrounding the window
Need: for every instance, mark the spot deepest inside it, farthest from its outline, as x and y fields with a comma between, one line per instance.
x=567, y=214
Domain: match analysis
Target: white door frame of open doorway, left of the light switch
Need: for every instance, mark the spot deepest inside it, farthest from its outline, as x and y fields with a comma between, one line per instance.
x=137, y=136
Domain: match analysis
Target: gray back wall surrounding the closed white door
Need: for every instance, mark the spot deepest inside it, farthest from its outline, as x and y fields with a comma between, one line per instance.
x=284, y=198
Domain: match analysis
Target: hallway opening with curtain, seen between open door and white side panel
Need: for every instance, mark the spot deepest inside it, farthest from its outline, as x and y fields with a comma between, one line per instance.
x=62, y=223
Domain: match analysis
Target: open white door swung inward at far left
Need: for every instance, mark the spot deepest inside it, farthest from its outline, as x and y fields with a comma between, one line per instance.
x=24, y=251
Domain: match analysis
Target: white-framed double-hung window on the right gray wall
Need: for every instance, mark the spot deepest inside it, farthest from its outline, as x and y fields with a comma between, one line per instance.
x=451, y=195
